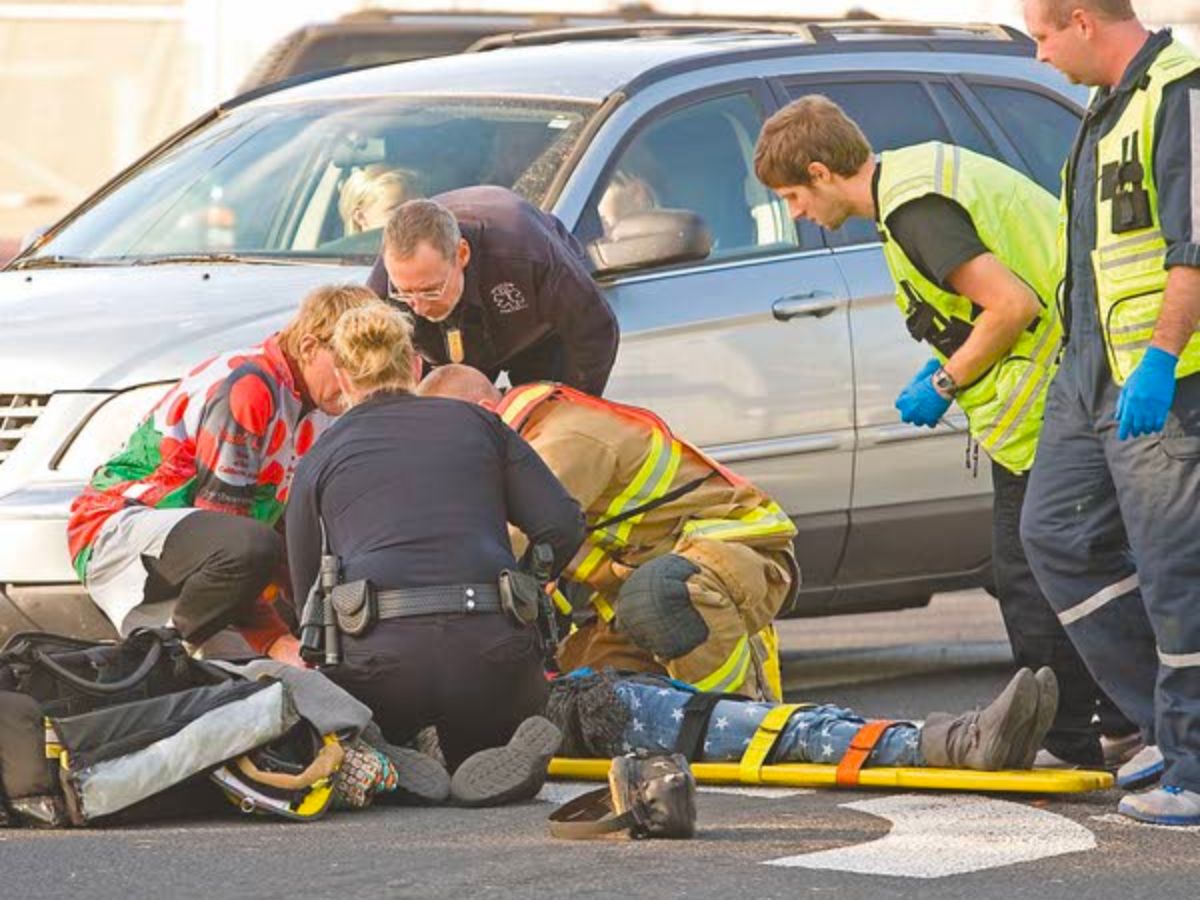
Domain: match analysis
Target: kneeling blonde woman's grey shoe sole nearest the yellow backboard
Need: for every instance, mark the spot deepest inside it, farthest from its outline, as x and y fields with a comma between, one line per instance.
x=511, y=773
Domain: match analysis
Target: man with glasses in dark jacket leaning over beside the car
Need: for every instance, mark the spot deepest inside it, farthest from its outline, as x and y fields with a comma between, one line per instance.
x=496, y=284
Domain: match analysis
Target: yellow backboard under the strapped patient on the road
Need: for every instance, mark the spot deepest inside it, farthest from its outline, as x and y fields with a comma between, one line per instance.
x=811, y=775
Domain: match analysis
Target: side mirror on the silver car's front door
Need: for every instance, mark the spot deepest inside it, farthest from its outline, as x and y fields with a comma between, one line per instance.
x=651, y=239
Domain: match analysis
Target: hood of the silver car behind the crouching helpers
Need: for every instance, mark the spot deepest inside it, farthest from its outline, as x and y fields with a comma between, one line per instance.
x=110, y=328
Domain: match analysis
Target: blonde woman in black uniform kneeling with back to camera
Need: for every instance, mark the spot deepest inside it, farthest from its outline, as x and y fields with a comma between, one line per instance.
x=416, y=496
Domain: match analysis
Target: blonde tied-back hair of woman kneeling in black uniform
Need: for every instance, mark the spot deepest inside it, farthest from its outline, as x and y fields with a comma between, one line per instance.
x=374, y=353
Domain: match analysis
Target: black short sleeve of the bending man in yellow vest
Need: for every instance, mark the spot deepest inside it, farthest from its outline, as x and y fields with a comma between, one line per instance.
x=937, y=235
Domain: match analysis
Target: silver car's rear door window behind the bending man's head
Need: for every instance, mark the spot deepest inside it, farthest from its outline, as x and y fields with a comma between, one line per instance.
x=891, y=115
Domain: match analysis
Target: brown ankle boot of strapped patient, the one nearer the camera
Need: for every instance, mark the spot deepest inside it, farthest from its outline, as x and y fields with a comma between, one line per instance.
x=983, y=739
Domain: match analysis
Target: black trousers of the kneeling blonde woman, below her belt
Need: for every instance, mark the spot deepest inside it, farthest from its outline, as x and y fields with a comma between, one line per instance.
x=475, y=677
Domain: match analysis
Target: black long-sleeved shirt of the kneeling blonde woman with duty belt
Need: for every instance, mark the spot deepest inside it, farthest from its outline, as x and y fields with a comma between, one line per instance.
x=418, y=493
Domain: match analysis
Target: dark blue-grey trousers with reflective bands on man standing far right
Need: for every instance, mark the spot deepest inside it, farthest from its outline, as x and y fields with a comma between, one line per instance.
x=1112, y=531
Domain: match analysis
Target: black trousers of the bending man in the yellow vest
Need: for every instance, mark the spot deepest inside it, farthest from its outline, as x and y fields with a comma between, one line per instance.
x=1036, y=635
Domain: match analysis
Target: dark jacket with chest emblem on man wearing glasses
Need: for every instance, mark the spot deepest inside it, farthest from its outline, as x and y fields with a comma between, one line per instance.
x=530, y=307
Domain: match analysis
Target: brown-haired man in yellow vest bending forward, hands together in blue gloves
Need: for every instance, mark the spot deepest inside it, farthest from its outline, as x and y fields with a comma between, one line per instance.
x=971, y=247
